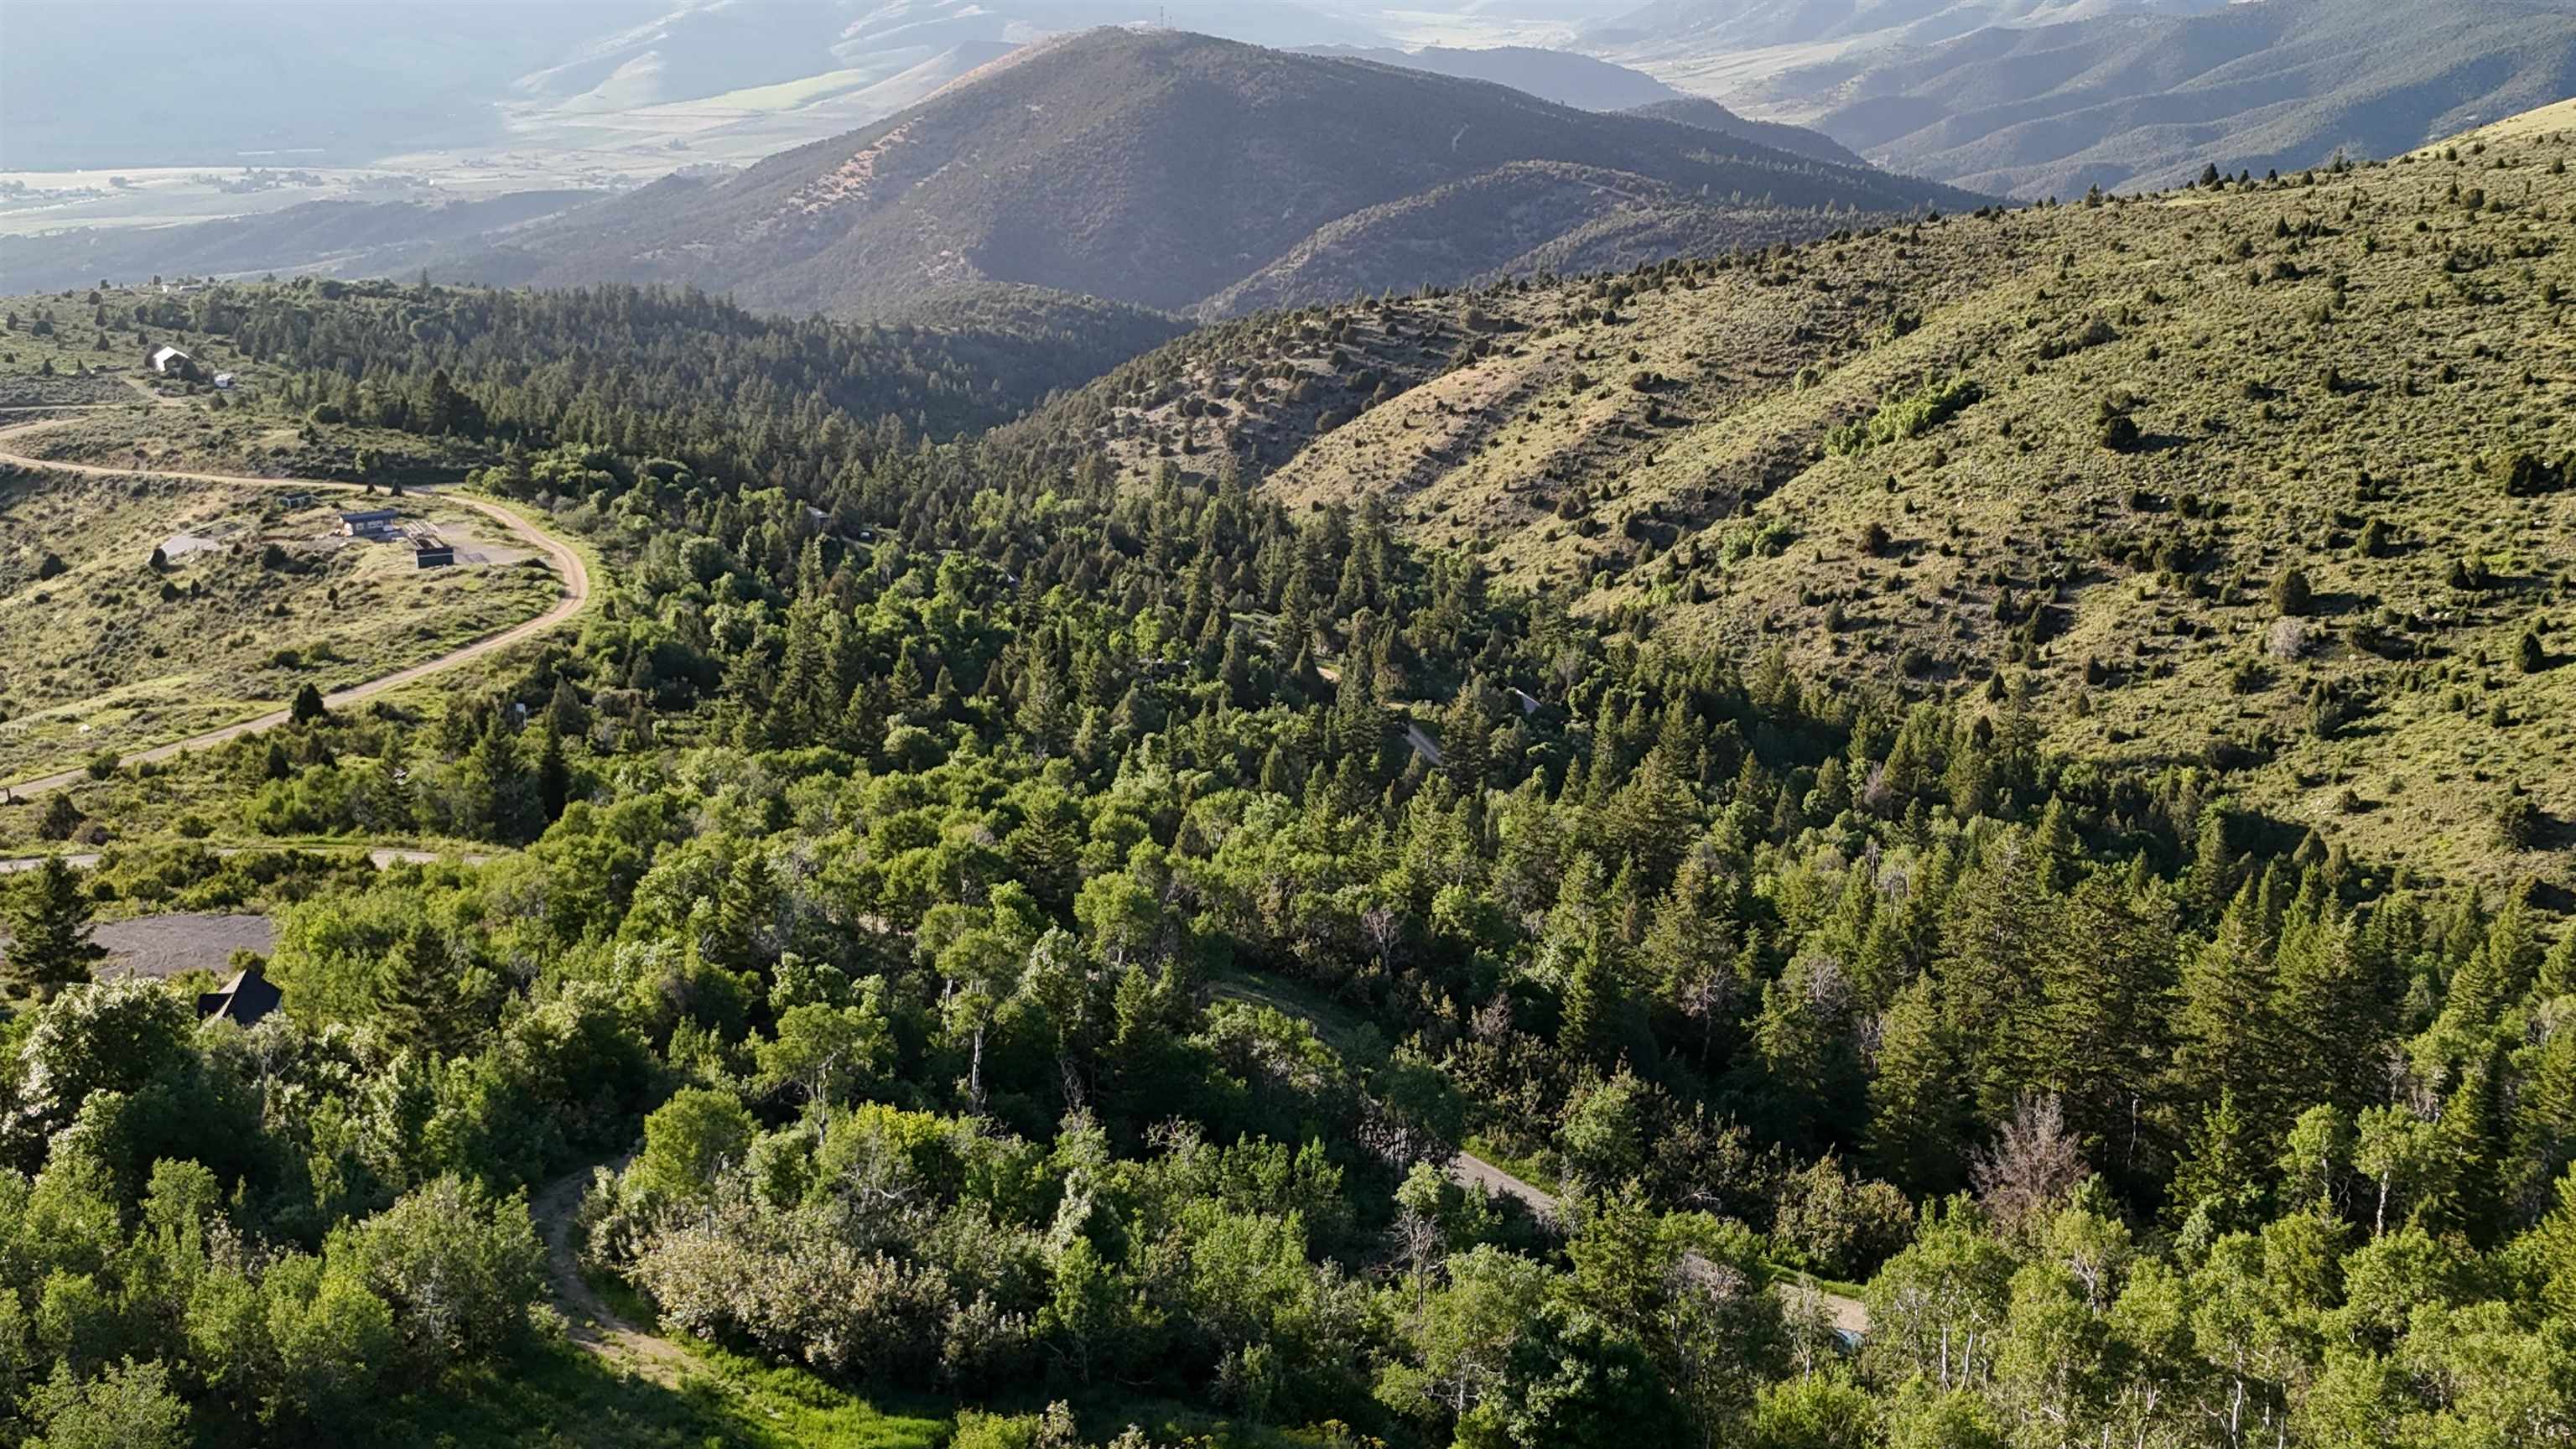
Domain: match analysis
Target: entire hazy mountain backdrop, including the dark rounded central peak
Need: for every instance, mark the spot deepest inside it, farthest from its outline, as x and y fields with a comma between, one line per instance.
x=1995, y=97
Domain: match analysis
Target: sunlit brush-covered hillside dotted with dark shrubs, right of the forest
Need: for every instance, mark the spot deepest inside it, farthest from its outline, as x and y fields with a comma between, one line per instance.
x=2278, y=481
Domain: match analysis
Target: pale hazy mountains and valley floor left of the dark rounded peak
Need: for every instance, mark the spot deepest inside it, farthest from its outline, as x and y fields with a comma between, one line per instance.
x=354, y=81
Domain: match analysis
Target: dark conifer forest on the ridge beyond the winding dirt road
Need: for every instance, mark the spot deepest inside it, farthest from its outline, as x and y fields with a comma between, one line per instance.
x=666, y=373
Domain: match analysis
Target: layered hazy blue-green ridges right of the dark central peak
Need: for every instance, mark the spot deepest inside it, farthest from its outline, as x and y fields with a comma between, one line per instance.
x=2052, y=97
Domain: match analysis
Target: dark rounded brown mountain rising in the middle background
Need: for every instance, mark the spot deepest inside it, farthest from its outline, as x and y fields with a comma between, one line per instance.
x=1142, y=166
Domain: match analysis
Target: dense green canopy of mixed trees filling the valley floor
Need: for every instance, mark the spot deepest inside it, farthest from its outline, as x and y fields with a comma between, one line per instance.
x=1050, y=940
